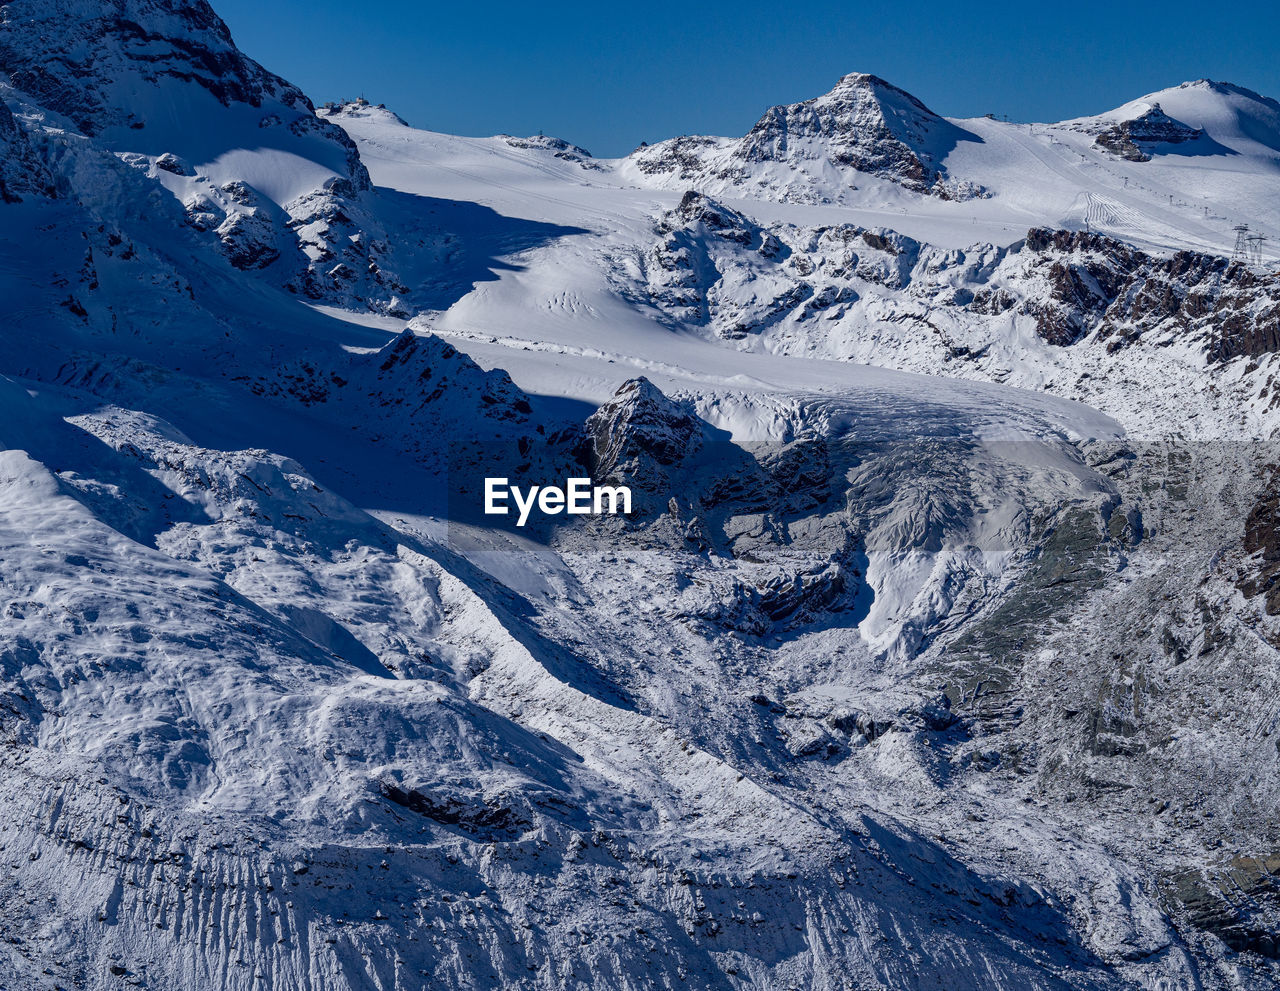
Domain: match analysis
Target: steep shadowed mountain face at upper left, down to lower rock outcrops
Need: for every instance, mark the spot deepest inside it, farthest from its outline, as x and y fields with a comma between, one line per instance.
x=163, y=85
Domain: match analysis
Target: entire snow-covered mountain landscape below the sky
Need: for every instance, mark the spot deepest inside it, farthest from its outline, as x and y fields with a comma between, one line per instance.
x=940, y=650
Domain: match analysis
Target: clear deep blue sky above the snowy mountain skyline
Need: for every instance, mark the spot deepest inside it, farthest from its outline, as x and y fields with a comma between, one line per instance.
x=610, y=75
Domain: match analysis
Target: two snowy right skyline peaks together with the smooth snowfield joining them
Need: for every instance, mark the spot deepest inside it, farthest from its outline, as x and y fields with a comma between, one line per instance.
x=1208, y=149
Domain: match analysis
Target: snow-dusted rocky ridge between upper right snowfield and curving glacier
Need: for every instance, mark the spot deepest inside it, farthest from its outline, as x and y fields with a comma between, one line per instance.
x=794, y=287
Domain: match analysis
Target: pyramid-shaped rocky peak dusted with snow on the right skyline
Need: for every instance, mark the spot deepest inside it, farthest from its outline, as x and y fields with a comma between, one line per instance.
x=816, y=150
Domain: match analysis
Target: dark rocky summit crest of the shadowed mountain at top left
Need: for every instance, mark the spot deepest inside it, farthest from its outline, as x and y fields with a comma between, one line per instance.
x=141, y=74
